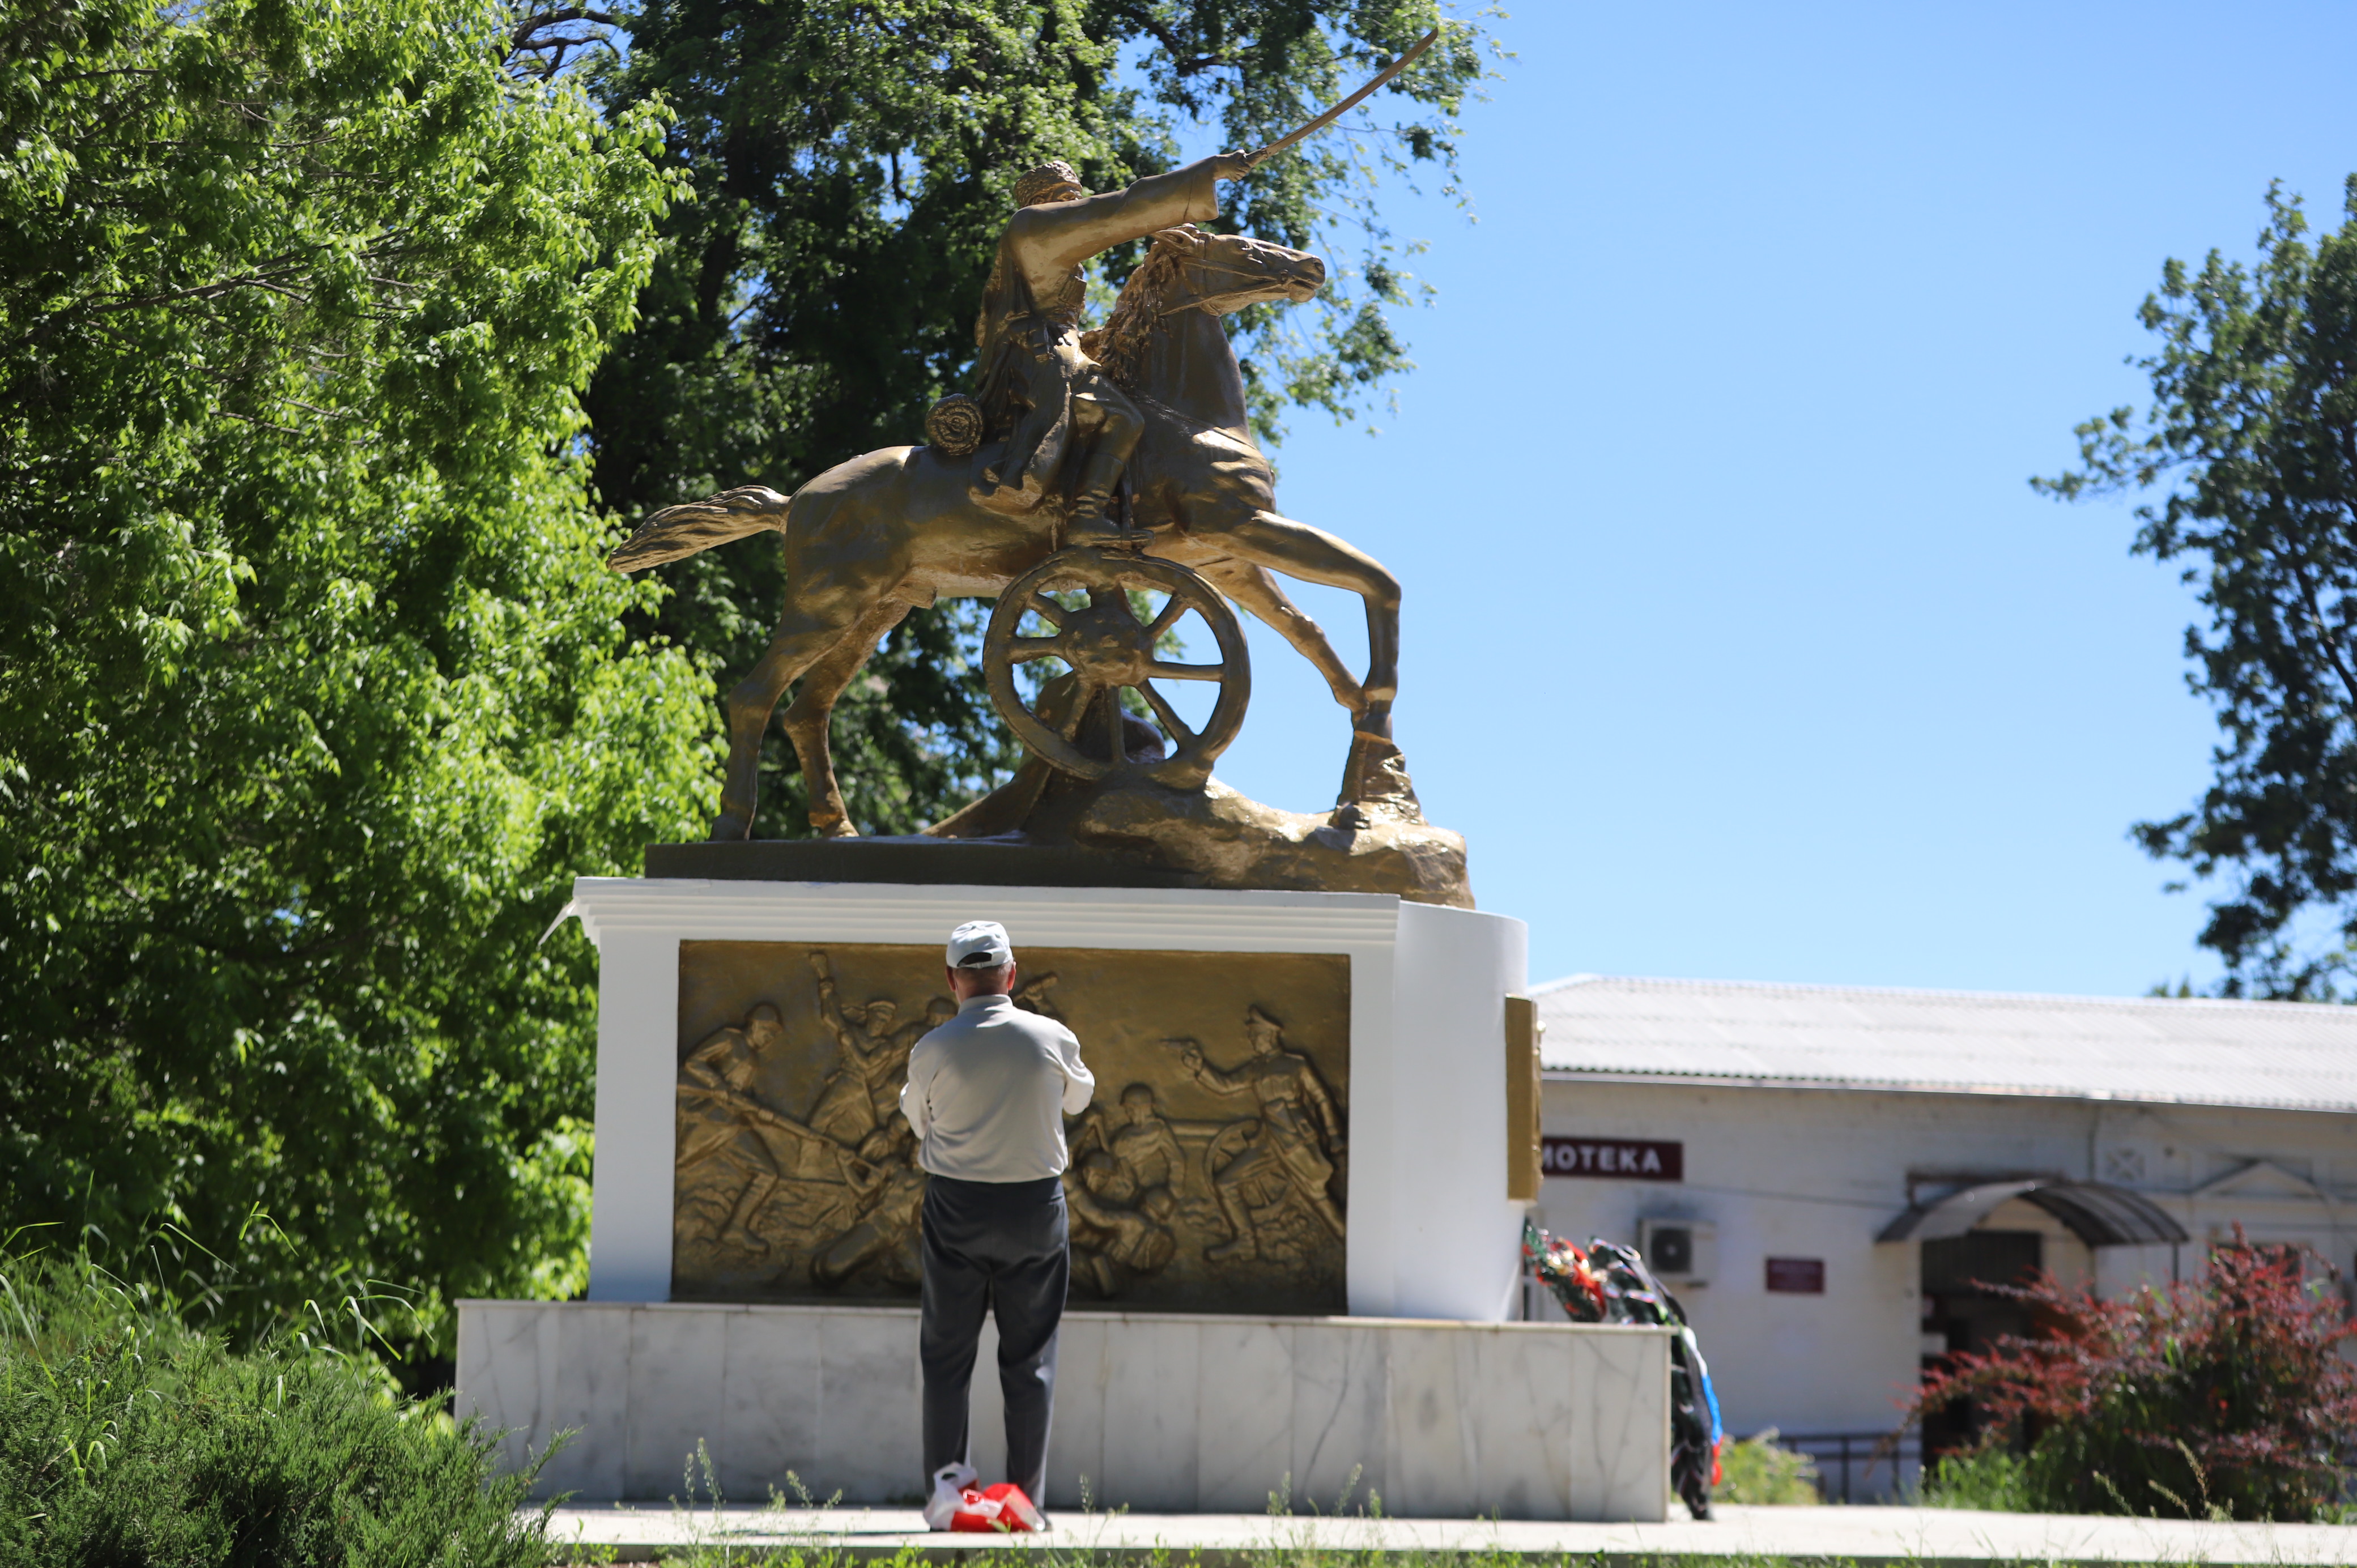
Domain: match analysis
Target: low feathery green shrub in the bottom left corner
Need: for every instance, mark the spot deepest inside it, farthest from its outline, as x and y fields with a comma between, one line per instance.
x=128, y=1439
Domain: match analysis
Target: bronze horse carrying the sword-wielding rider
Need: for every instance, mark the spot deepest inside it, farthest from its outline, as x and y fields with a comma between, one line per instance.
x=897, y=529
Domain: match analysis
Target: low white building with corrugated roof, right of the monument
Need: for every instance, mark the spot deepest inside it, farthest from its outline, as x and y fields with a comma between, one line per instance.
x=1821, y=1173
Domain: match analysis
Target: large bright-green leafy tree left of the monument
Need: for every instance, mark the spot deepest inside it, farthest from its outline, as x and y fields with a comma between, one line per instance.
x=312, y=687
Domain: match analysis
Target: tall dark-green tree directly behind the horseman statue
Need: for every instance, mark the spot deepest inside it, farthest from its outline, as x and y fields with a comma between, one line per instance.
x=852, y=169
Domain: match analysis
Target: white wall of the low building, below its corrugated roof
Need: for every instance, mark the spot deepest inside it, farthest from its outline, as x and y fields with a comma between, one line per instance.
x=1816, y=1173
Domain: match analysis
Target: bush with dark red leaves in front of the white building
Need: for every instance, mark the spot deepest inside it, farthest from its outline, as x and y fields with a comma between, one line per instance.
x=2214, y=1399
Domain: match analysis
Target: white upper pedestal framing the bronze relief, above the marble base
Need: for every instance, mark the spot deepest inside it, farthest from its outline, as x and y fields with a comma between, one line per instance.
x=1432, y=1232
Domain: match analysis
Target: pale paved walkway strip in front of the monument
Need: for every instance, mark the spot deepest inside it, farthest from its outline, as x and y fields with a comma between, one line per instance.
x=1856, y=1534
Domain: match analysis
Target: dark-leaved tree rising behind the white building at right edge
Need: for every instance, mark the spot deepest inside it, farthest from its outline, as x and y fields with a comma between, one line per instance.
x=2252, y=440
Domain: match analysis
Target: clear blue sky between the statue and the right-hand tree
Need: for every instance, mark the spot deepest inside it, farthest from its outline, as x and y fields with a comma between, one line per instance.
x=1736, y=643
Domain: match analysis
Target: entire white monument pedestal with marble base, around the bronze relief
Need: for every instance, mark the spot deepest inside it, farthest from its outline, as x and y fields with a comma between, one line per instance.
x=1425, y=1392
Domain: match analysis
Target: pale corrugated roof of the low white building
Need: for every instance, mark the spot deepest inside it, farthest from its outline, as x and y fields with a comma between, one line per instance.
x=2295, y=1055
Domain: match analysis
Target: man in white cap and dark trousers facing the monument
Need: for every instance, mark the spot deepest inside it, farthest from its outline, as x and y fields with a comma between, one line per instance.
x=989, y=1093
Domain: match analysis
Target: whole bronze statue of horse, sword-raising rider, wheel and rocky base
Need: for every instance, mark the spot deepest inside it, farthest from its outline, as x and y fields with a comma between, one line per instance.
x=1092, y=475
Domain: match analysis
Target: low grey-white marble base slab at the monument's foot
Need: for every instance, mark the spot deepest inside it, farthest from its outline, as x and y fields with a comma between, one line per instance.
x=1173, y=1414
